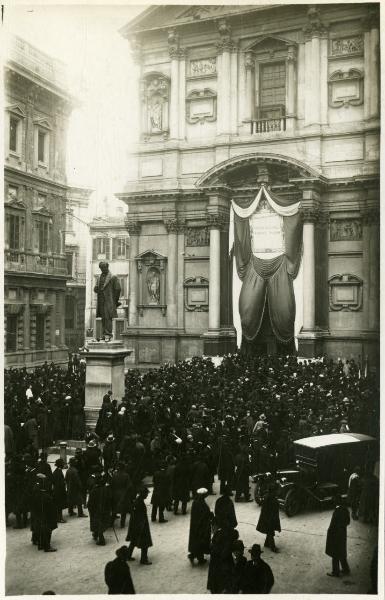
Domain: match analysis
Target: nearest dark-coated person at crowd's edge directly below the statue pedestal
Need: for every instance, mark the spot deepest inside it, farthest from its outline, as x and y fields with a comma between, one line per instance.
x=100, y=509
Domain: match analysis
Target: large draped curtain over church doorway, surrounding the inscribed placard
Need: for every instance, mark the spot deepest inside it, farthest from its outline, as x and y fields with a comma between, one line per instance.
x=267, y=279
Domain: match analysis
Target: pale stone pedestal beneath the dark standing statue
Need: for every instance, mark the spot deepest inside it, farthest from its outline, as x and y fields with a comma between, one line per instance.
x=104, y=371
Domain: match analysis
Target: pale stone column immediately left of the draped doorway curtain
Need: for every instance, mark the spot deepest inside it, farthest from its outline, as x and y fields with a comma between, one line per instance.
x=214, y=272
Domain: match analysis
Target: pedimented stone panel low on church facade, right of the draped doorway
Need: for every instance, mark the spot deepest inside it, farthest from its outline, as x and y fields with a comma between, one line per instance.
x=345, y=293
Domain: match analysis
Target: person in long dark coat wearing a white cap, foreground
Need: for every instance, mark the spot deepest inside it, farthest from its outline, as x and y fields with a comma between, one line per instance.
x=200, y=528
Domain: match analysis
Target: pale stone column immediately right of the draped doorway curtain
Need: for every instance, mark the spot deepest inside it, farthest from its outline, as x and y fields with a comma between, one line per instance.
x=309, y=217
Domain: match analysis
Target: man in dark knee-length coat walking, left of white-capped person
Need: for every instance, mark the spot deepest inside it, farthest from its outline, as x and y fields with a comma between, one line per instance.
x=138, y=533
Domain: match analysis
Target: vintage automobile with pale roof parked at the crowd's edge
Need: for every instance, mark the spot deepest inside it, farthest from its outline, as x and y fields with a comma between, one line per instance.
x=323, y=466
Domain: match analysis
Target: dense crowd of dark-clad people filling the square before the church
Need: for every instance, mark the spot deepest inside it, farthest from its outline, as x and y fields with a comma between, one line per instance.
x=182, y=424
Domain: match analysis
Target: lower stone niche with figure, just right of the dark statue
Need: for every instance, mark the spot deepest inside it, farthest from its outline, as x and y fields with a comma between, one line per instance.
x=152, y=268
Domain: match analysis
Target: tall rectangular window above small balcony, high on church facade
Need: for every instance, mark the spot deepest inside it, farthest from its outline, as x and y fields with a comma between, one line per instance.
x=272, y=90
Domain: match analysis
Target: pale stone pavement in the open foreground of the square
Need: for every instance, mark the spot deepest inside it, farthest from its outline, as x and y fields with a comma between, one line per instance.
x=78, y=566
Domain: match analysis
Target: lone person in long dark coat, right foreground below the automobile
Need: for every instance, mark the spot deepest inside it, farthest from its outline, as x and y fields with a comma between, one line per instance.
x=336, y=539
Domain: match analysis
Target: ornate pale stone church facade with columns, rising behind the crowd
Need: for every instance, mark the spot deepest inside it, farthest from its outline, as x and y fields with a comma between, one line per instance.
x=235, y=100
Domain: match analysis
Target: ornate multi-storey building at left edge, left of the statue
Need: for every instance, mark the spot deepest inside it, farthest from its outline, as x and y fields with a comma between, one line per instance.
x=37, y=108
